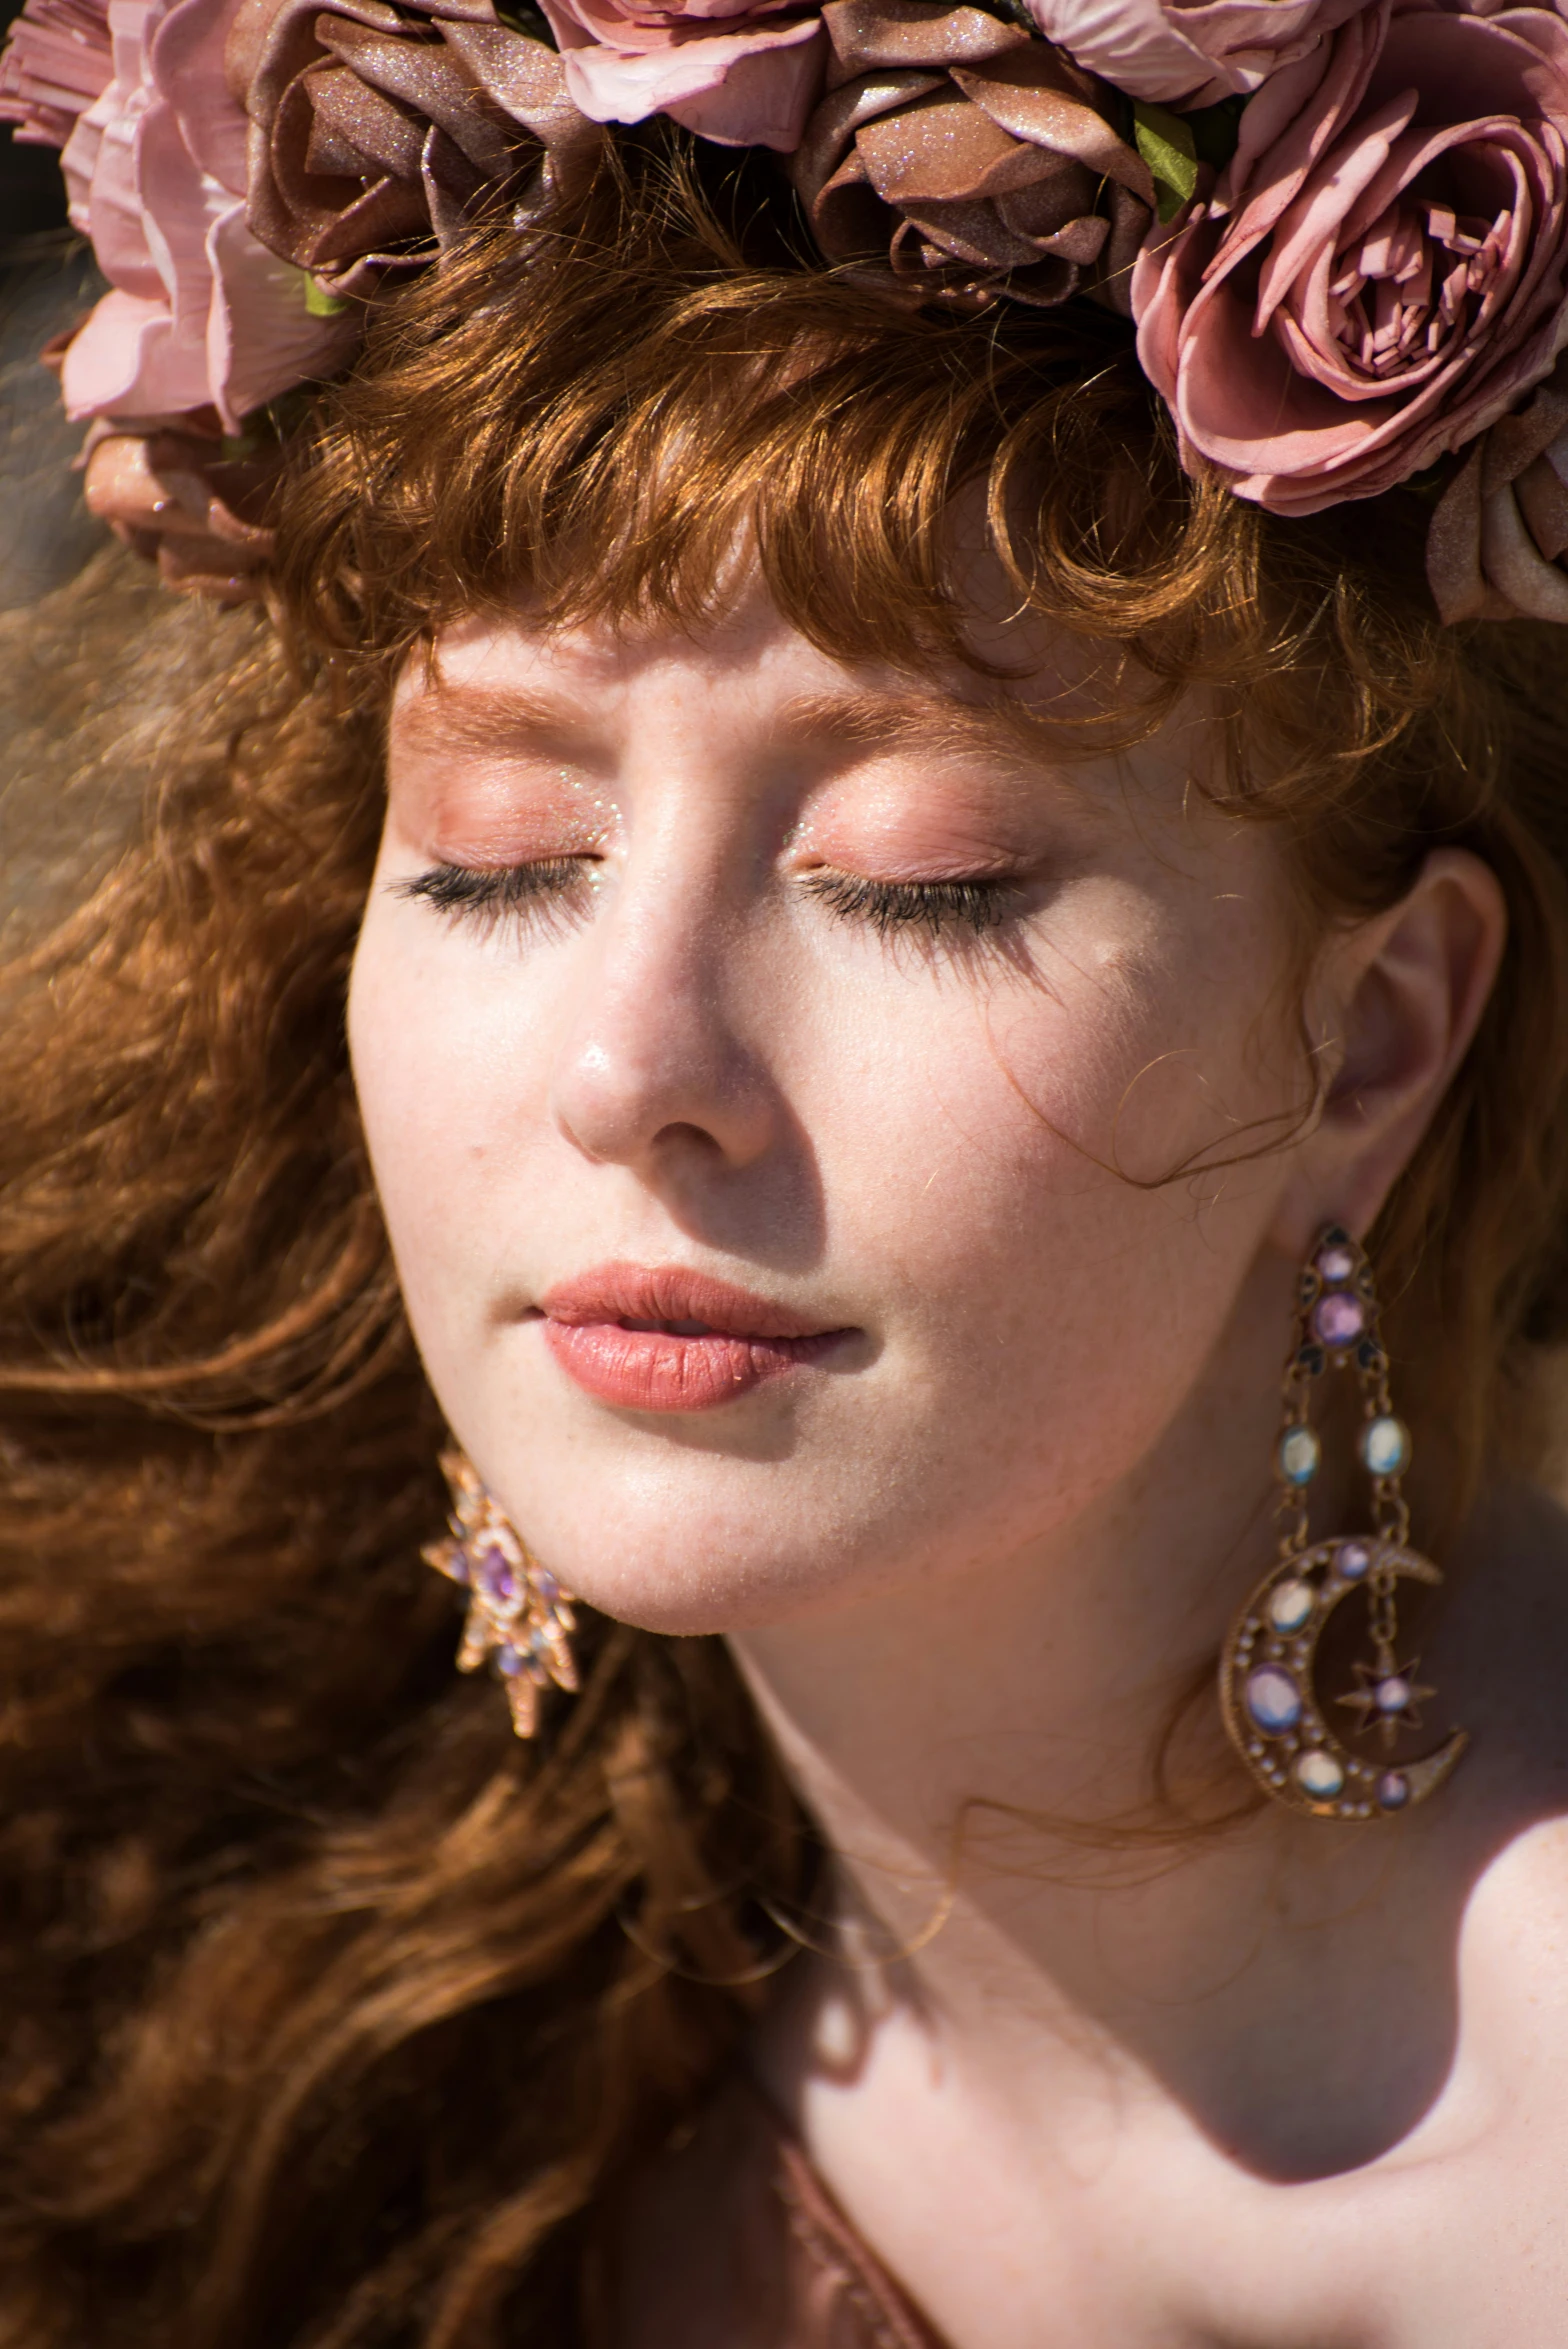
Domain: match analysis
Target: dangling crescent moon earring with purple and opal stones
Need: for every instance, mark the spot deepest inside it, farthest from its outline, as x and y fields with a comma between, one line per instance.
x=1269, y=1700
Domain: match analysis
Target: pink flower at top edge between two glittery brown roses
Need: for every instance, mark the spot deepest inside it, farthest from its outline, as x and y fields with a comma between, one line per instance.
x=743, y=76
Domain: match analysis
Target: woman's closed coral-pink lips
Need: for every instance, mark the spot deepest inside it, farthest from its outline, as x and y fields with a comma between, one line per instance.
x=738, y=1345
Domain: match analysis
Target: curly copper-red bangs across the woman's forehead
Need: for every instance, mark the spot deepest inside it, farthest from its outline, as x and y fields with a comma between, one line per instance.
x=597, y=419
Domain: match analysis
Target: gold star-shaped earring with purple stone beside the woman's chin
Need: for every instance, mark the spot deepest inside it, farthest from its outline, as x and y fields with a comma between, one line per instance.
x=518, y=1610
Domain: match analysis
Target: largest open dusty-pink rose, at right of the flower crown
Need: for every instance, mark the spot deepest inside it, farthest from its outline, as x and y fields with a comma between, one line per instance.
x=1384, y=267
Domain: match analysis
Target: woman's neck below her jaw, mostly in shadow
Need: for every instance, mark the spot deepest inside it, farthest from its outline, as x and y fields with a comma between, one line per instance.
x=1008, y=1777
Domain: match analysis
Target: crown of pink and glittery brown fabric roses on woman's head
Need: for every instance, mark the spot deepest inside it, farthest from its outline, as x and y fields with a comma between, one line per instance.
x=1341, y=227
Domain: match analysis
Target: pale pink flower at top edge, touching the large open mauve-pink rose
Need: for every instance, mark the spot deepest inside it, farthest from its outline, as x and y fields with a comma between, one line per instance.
x=1189, y=53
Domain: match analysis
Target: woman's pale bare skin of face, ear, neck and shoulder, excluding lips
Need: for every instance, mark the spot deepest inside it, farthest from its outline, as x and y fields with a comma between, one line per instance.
x=1278, y=2089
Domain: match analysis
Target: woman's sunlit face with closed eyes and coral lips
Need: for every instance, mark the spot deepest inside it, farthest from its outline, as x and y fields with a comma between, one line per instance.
x=755, y=1058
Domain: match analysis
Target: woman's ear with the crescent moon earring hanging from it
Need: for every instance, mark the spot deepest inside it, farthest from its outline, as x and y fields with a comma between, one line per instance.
x=1395, y=1007
